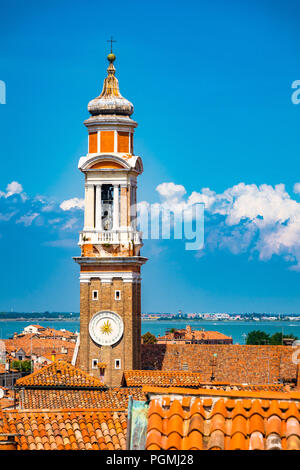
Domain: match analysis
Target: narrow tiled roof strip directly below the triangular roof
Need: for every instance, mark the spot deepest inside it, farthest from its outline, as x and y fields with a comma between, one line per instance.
x=113, y=399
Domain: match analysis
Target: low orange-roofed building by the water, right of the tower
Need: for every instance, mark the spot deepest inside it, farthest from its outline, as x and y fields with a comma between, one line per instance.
x=189, y=336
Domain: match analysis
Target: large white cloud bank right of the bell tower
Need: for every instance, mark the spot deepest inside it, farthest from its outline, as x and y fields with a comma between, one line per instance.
x=250, y=218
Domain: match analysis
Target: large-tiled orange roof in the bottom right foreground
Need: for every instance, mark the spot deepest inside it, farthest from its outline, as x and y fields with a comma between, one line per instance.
x=192, y=423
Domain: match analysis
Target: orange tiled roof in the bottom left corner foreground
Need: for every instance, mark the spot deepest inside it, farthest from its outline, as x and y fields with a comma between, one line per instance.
x=66, y=429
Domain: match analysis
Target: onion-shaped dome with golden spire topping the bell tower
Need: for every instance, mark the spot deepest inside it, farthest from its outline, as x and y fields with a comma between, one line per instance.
x=110, y=101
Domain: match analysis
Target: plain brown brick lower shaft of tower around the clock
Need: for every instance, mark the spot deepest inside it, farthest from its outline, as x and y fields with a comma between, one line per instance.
x=128, y=348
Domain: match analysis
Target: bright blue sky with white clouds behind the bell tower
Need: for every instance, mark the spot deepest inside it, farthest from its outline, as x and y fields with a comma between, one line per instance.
x=211, y=86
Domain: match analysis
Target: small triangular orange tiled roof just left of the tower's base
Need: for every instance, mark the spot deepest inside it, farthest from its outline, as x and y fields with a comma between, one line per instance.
x=59, y=374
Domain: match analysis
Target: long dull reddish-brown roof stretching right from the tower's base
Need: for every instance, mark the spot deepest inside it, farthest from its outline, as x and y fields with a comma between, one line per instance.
x=233, y=363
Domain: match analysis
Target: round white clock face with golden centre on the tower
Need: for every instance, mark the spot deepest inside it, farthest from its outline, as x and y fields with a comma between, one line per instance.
x=106, y=328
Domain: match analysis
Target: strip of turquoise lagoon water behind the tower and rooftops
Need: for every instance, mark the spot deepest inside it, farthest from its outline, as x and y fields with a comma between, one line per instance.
x=237, y=329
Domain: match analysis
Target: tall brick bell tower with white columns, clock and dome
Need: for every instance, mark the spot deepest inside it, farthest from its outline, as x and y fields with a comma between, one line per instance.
x=110, y=261
